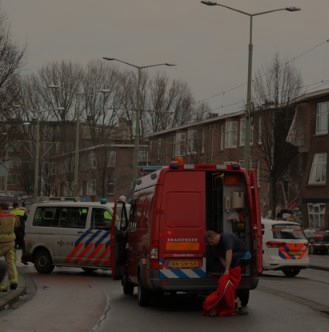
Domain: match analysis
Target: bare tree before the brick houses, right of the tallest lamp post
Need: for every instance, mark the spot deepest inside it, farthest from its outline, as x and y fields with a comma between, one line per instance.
x=275, y=89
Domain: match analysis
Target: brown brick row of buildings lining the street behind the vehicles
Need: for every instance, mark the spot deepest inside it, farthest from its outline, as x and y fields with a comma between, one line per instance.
x=106, y=166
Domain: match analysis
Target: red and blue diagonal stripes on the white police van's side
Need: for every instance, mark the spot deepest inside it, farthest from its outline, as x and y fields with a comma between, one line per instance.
x=92, y=248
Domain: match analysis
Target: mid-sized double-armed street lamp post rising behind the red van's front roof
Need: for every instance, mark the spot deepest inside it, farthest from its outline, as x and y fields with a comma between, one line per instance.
x=138, y=111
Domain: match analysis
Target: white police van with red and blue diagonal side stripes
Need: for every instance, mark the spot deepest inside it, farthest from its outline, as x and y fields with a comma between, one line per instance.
x=75, y=234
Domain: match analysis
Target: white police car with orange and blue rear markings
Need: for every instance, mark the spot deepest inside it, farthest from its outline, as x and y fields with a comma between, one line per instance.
x=285, y=247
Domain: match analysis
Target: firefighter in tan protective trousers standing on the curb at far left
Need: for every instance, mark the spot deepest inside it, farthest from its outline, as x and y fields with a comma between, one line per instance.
x=8, y=223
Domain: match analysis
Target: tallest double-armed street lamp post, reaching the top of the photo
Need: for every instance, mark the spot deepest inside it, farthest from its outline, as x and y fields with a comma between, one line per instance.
x=247, y=157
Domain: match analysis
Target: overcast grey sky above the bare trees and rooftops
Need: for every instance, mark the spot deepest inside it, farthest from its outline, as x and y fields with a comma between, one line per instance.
x=209, y=45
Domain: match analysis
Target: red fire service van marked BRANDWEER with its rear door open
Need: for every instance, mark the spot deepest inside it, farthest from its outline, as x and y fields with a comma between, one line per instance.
x=160, y=248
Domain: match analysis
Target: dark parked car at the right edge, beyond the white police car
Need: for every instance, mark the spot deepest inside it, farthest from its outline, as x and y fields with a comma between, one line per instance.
x=318, y=240
